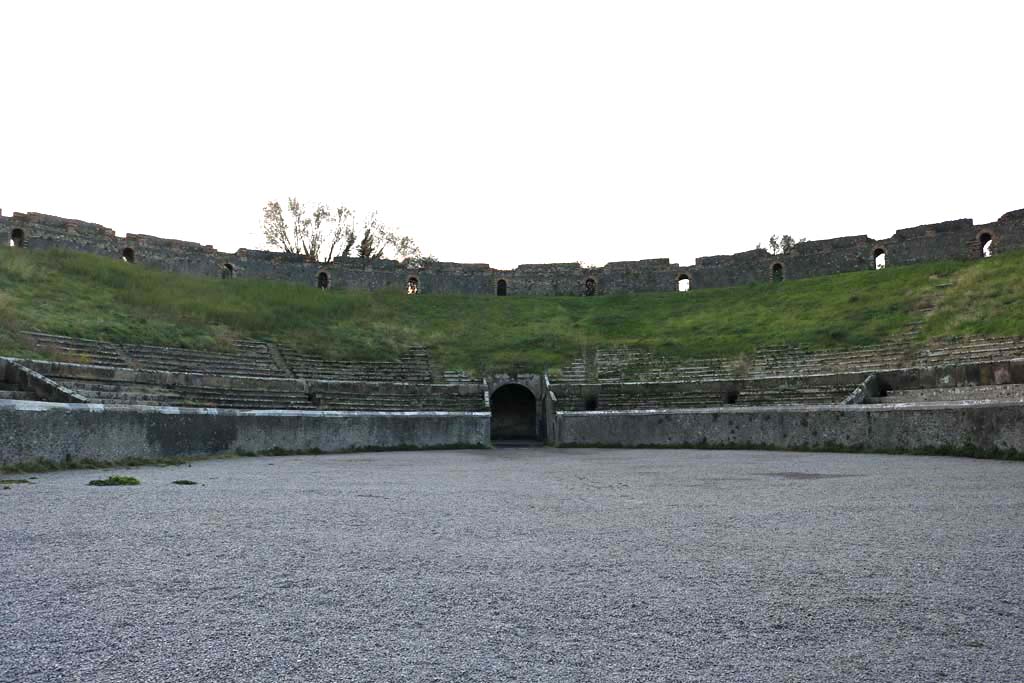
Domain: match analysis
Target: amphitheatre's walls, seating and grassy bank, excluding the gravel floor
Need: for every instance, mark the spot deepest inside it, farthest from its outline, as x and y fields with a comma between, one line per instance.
x=874, y=380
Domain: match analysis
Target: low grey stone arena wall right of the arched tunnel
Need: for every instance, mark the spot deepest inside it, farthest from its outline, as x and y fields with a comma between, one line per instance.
x=971, y=429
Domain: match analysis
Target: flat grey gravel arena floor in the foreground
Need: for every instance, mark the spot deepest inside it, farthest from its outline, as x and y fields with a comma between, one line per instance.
x=533, y=565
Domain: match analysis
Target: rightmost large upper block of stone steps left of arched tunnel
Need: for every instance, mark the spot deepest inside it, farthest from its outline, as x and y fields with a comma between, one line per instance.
x=414, y=366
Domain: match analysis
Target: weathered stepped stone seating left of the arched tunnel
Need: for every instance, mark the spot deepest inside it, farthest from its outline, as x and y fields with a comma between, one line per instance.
x=259, y=377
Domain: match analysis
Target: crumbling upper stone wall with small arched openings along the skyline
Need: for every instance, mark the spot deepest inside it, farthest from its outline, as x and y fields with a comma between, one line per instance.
x=951, y=240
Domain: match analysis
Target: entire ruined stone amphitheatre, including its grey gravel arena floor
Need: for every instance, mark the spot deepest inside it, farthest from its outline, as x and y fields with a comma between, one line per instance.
x=758, y=467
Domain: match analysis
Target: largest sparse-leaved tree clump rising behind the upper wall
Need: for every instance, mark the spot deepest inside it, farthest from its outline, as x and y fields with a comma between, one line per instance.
x=323, y=233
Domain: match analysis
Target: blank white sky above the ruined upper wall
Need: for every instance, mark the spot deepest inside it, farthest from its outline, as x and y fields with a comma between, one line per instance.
x=518, y=133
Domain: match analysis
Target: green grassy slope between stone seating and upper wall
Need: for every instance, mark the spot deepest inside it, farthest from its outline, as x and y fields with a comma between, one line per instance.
x=90, y=296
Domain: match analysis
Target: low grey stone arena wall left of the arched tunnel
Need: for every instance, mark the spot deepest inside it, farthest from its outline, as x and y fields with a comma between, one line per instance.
x=71, y=433
